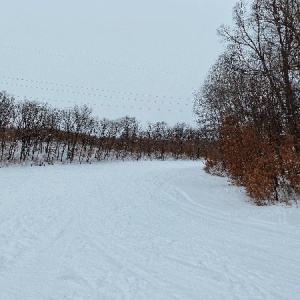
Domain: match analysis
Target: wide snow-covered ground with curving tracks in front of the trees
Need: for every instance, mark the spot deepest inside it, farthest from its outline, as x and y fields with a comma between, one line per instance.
x=141, y=230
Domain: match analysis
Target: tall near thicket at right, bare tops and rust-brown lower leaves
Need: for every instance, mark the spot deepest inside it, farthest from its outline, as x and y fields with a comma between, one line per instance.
x=250, y=101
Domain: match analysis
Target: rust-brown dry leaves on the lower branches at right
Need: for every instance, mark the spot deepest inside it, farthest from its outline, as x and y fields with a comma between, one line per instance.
x=267, y=166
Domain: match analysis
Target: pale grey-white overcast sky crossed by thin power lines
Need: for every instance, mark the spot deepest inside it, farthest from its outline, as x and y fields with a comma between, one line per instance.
x=111, y=54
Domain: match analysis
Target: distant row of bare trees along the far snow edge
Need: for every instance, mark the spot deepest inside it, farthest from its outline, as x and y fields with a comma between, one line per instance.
x=37, y=133
